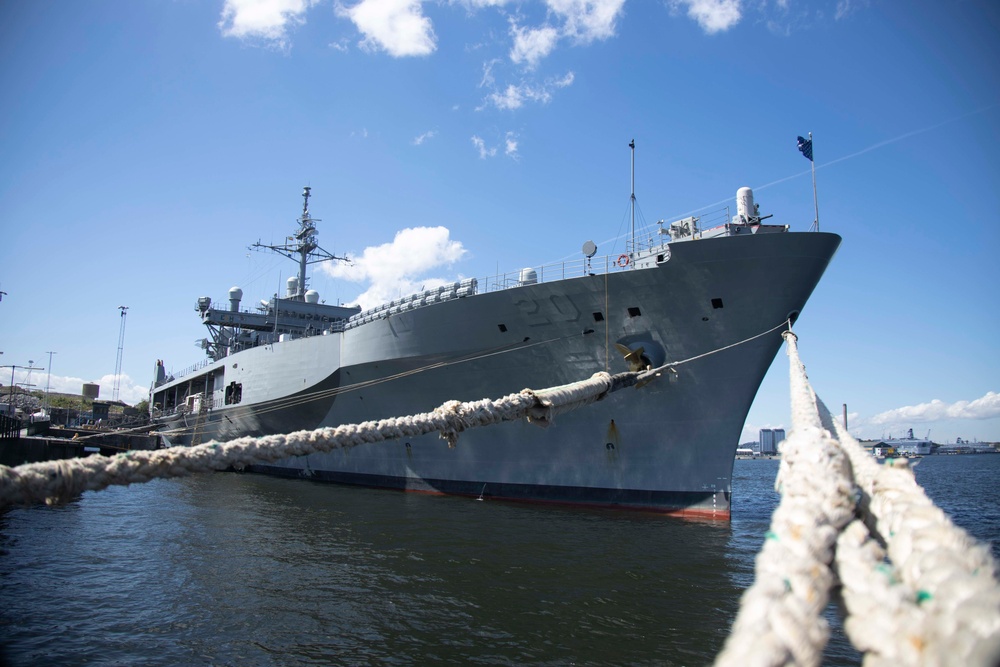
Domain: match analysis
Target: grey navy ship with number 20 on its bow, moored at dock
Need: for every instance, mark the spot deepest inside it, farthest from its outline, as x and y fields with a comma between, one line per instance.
x=713, y=299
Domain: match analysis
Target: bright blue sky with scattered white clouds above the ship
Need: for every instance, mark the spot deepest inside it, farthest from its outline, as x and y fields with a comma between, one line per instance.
x=145, y=145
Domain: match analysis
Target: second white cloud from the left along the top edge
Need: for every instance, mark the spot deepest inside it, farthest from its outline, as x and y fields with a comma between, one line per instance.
x=398, y=27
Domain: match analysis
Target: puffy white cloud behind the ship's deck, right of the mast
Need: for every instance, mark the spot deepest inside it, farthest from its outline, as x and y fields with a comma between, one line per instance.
x=398, y=268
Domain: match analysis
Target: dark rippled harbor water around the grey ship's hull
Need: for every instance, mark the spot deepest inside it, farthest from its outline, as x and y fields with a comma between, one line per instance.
x=229, y=569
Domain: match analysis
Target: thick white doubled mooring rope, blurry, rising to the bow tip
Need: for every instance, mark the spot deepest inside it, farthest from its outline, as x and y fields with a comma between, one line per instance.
x=935, y=601
